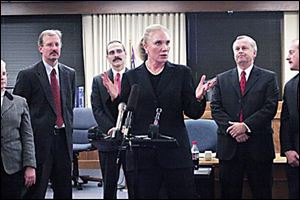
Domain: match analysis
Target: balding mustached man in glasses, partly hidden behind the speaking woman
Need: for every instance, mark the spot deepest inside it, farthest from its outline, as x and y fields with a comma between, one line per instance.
x=108, y=151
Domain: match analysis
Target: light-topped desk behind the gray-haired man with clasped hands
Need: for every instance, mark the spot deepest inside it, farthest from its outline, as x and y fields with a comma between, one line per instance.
x=279, y=188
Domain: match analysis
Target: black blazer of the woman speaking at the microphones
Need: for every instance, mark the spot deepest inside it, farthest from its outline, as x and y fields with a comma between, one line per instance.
x=176, y=97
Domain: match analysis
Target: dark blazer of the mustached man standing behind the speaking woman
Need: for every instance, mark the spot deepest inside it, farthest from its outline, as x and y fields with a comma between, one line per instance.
x=101, y=111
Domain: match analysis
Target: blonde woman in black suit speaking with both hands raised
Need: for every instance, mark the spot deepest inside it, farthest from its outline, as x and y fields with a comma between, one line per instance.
x=170, y=87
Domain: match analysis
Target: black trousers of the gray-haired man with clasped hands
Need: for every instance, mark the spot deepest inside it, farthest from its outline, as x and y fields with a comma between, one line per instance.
x=259, y=175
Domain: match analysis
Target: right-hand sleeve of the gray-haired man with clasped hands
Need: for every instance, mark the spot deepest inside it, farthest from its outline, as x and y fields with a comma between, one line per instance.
x=266, y=113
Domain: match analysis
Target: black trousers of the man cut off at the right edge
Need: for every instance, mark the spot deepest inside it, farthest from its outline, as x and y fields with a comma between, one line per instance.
x=293, y=181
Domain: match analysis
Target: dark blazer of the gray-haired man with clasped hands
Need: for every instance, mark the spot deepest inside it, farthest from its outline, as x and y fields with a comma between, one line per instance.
x=259, y=108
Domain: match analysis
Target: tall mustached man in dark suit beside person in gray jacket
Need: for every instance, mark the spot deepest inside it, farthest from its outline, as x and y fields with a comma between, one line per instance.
x=49, y=88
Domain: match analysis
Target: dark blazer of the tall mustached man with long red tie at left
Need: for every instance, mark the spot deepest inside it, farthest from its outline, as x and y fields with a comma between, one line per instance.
x=33, y=84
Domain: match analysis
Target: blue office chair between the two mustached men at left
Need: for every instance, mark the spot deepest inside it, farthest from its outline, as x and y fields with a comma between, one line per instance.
x=83, y=120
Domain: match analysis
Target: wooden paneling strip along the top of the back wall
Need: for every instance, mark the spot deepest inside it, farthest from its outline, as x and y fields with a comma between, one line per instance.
x=96, y=7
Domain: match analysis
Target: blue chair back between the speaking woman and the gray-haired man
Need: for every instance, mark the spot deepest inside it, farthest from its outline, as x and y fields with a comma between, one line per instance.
x=204, y=131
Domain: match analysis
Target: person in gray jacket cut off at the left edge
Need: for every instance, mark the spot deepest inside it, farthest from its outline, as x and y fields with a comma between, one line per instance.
x=17, y=147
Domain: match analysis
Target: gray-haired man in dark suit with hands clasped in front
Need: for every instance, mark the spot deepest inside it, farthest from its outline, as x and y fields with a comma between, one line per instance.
x=244, y=102
